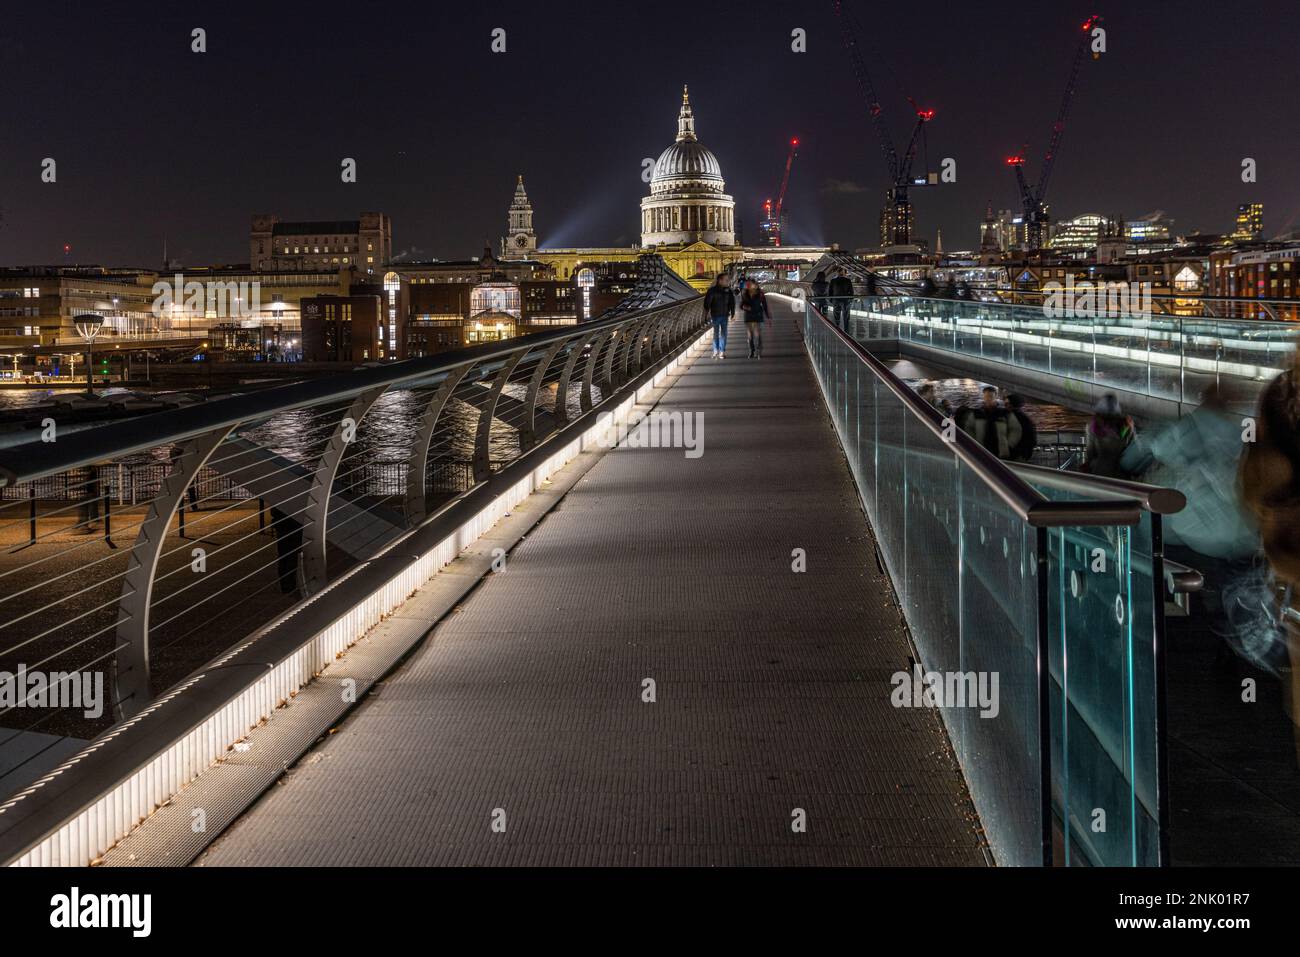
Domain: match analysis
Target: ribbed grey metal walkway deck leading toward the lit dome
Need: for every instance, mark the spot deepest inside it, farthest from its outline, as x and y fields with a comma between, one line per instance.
x=518, y=733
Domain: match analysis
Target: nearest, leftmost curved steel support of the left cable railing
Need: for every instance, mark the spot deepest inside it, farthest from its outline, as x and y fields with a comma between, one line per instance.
x=132, y=660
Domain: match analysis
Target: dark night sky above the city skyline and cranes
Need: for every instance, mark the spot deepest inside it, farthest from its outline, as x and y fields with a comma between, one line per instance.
x=154, y=141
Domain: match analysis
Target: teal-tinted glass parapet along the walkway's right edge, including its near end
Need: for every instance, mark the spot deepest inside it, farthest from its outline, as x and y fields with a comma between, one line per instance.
x=1063, y=765
